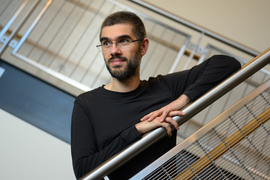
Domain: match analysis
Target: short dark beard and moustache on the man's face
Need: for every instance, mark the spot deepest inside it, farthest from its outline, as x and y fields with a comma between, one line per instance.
x=130, y=69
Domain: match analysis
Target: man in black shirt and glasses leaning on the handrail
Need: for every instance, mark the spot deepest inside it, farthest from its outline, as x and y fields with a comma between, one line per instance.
x=108, y=119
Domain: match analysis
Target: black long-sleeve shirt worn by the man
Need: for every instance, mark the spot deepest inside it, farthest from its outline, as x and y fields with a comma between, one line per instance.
x=103, y=121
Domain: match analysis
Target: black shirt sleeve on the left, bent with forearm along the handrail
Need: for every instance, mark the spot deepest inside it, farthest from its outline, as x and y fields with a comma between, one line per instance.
x=86, y=154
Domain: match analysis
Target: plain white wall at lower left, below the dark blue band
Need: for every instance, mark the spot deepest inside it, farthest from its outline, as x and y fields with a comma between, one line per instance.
x=29, y=153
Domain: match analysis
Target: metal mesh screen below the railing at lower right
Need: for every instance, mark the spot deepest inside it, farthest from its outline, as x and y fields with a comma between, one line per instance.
x=237, y=148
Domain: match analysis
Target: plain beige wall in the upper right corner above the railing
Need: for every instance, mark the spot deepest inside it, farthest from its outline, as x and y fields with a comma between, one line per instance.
x=244, y=21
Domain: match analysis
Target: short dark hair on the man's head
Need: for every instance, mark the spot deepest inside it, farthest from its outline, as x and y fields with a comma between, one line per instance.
x=126, y=17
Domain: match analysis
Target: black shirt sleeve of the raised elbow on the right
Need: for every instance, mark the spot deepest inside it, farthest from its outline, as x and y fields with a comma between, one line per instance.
x=203, y=77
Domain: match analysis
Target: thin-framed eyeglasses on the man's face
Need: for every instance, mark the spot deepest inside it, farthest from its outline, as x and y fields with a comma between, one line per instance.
x=106, y=45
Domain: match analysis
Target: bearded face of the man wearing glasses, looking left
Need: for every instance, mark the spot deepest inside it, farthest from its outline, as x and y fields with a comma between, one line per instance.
x=122, y=63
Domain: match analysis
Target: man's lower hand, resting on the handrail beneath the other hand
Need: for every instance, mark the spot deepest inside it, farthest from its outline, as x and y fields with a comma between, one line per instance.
x=146, y=126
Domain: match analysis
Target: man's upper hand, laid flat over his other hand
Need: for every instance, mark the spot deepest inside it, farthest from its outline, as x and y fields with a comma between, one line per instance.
x=167, y=111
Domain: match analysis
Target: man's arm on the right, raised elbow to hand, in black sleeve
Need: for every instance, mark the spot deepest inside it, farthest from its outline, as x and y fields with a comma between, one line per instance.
x=198, y=80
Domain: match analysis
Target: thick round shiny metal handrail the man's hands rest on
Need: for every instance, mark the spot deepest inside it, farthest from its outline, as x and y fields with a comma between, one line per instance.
x=112, y=164
